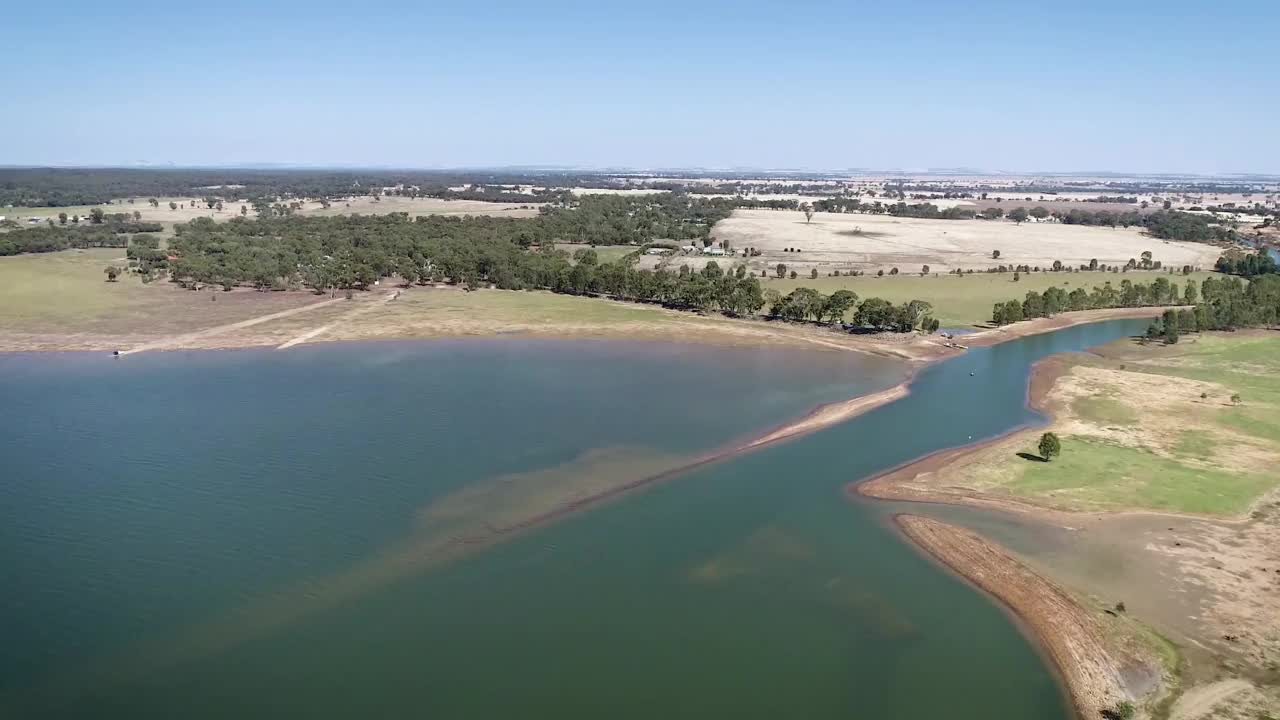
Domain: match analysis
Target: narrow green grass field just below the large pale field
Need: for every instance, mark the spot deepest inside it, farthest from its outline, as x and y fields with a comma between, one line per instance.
x=966, y=300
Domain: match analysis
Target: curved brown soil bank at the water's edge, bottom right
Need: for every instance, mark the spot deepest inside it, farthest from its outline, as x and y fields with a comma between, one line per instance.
x=1069, y=635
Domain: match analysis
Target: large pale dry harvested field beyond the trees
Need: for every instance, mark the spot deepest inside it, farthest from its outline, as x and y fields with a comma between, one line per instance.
x=830, y=243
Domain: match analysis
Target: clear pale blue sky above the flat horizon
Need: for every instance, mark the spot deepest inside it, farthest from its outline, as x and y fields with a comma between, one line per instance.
x=1003, y=86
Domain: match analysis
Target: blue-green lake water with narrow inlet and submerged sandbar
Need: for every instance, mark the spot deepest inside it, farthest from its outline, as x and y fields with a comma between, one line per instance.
x=266, y=535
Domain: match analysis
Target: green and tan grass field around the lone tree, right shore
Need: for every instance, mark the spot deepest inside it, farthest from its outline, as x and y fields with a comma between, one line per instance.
x=1204, y=455
